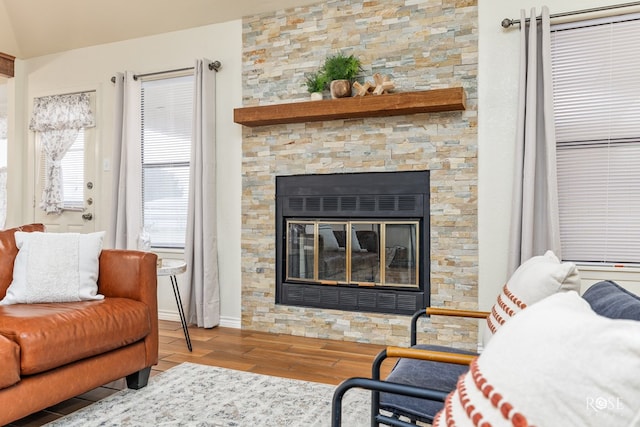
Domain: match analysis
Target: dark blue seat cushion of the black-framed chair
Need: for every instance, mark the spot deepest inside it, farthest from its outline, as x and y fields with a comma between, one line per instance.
x=422, y=373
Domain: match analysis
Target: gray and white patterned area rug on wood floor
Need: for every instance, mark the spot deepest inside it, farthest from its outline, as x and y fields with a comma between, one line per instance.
x=199, y=395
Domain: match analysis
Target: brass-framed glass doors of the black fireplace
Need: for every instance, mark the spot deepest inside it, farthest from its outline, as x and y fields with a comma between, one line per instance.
x=348, y=252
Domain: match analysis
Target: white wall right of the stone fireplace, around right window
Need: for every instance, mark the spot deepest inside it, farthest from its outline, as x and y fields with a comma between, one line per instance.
x=497, y=94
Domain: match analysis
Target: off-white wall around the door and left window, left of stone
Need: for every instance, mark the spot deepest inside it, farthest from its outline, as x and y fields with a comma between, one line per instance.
x=91, y=69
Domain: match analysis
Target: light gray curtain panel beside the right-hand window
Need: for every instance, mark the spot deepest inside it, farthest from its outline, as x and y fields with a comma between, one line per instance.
x=535, y=224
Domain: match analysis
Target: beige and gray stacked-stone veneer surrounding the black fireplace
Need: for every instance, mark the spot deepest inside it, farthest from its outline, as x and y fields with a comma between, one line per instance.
x=422, y=44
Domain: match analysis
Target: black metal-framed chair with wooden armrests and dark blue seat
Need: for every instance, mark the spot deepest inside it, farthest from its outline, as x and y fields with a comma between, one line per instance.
x=420, y=381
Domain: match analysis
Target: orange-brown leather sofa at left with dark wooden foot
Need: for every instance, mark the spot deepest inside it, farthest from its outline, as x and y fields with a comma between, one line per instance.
x=50, y=352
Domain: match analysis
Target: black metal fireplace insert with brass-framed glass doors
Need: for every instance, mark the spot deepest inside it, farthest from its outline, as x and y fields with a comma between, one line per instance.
x=353, y=241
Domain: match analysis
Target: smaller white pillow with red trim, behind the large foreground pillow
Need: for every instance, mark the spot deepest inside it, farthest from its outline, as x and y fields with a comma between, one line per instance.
x=535, y=279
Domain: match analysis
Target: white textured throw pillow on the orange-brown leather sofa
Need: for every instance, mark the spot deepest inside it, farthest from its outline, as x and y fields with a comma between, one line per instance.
x=55, y=267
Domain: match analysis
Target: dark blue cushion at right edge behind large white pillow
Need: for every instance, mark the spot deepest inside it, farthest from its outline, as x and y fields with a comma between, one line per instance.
x=609, y=299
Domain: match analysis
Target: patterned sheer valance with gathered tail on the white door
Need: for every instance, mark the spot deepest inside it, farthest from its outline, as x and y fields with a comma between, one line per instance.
x=58, y=119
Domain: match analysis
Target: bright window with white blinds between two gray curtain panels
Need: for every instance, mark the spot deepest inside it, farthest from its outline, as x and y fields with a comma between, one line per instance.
x=166, y=148
